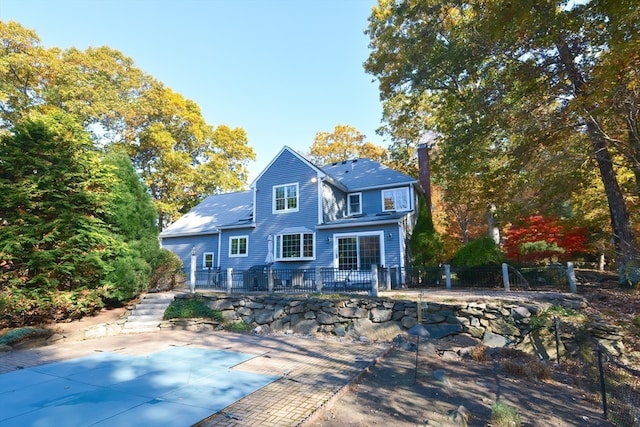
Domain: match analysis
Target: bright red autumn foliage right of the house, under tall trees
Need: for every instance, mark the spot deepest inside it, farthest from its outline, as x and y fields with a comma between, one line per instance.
x=538, y=239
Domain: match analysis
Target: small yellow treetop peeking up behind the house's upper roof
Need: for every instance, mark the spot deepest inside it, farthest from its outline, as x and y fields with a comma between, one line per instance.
x=345, y=142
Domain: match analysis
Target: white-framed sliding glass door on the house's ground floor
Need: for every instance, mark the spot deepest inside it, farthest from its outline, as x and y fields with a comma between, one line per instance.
x=359, y=252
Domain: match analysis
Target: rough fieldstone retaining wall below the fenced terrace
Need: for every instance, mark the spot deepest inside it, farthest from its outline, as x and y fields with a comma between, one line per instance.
x=364, y=318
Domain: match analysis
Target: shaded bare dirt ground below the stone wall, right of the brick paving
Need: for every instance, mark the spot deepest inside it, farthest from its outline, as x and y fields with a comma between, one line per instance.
x=456, y=393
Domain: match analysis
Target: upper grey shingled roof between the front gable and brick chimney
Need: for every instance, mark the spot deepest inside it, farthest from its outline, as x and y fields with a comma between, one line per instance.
x=363, y=174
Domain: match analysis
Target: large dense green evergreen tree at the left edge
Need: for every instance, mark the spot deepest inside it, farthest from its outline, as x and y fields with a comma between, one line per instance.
x=53, y=235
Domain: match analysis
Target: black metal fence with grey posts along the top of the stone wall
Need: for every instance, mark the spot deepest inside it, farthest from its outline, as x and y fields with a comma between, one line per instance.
x=263, y=278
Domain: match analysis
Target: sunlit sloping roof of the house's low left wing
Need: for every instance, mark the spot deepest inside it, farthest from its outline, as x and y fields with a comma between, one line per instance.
x=214, y=213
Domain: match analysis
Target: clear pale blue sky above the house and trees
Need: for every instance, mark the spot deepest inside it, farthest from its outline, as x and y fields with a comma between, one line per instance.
x=283, y=70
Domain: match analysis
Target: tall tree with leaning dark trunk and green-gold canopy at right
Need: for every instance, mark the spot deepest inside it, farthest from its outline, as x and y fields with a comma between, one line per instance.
x=516, y=81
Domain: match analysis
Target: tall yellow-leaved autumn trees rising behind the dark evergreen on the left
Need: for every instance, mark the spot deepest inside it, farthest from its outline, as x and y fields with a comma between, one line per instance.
x=181, y=157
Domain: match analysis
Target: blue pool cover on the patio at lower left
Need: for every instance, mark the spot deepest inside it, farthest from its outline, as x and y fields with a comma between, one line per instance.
x=175, y=387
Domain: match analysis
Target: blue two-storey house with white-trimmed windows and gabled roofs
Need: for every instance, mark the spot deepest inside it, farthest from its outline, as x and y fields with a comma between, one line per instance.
x=343, y=217
